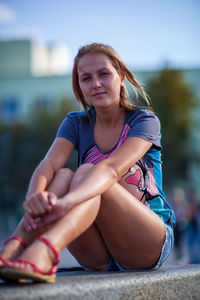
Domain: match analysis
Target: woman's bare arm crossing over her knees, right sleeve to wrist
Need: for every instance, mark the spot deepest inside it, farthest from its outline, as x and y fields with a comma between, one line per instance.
x=106, y=173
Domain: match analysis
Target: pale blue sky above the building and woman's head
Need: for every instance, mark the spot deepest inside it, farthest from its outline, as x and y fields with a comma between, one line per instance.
x=146, y=33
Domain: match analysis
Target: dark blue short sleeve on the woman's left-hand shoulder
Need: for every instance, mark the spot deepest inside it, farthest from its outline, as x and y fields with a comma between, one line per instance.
x=69, y=129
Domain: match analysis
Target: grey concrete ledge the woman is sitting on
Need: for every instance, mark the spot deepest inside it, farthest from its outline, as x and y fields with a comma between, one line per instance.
x=173, y=282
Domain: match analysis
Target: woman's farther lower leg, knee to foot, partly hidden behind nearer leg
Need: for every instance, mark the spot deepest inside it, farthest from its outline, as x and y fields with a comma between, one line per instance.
x=59, y=185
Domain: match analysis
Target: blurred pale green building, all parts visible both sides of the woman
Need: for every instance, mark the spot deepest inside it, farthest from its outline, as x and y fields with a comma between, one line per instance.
x=34, y=76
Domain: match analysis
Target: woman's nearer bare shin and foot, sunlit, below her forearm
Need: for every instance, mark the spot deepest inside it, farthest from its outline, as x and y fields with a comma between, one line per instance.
x=61, y=233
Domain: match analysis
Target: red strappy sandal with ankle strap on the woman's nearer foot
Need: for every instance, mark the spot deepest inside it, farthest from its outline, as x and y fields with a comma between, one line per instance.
x=12, y=272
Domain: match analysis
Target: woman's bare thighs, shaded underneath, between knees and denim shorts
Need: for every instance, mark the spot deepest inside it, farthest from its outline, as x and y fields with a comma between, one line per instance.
x=130, y=231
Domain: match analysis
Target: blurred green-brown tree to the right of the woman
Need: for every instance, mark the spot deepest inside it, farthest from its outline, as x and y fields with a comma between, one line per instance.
x=173, y=101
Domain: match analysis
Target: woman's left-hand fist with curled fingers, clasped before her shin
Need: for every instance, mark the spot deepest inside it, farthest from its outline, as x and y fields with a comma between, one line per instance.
x=40, y=203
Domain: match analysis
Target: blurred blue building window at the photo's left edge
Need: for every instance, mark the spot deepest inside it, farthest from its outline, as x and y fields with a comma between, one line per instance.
x=9, y=109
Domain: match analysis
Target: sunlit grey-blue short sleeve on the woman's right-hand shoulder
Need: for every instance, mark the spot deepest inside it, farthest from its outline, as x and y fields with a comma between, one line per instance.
x=146, y=125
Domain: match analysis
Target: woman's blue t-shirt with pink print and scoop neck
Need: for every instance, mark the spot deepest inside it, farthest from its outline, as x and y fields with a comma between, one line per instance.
x=78, y=128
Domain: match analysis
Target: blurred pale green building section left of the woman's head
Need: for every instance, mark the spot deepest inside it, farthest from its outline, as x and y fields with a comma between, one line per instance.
x=31, y=75
